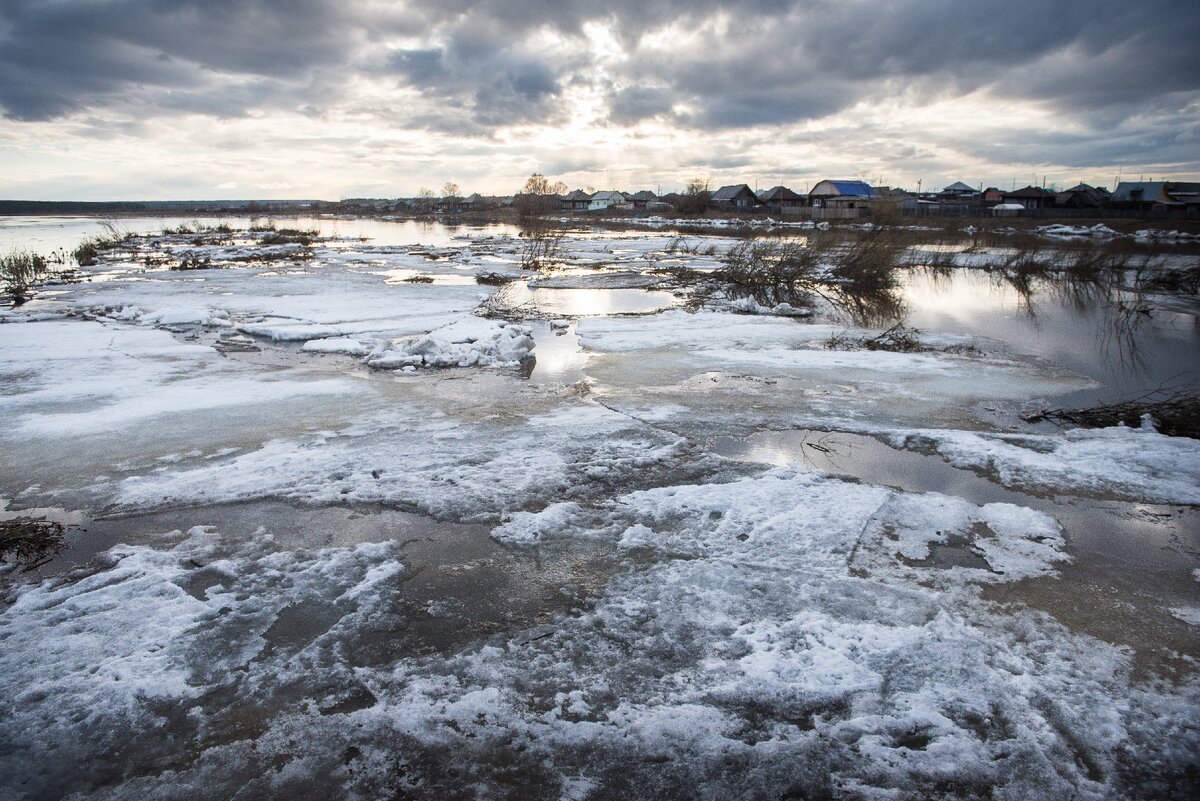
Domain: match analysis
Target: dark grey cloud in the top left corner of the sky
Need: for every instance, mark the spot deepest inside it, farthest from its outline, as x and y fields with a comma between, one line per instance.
x=62, y=57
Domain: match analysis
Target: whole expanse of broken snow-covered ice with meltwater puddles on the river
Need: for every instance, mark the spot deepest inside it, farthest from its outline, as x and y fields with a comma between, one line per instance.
x=358, y=537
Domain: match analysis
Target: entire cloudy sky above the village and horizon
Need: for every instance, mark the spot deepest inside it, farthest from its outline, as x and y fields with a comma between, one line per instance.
x=328, y=99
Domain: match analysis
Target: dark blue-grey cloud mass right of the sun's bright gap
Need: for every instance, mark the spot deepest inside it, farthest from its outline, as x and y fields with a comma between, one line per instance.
x=815, y=59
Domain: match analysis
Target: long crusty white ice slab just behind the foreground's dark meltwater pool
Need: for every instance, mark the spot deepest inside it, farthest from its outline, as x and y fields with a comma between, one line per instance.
x=413, y=459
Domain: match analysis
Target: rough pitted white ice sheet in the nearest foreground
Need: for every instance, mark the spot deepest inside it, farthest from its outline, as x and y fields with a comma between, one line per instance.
x=791, y=645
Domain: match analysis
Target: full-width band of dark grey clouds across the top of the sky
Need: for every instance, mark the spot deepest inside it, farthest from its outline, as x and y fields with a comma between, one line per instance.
x=482, y=64
